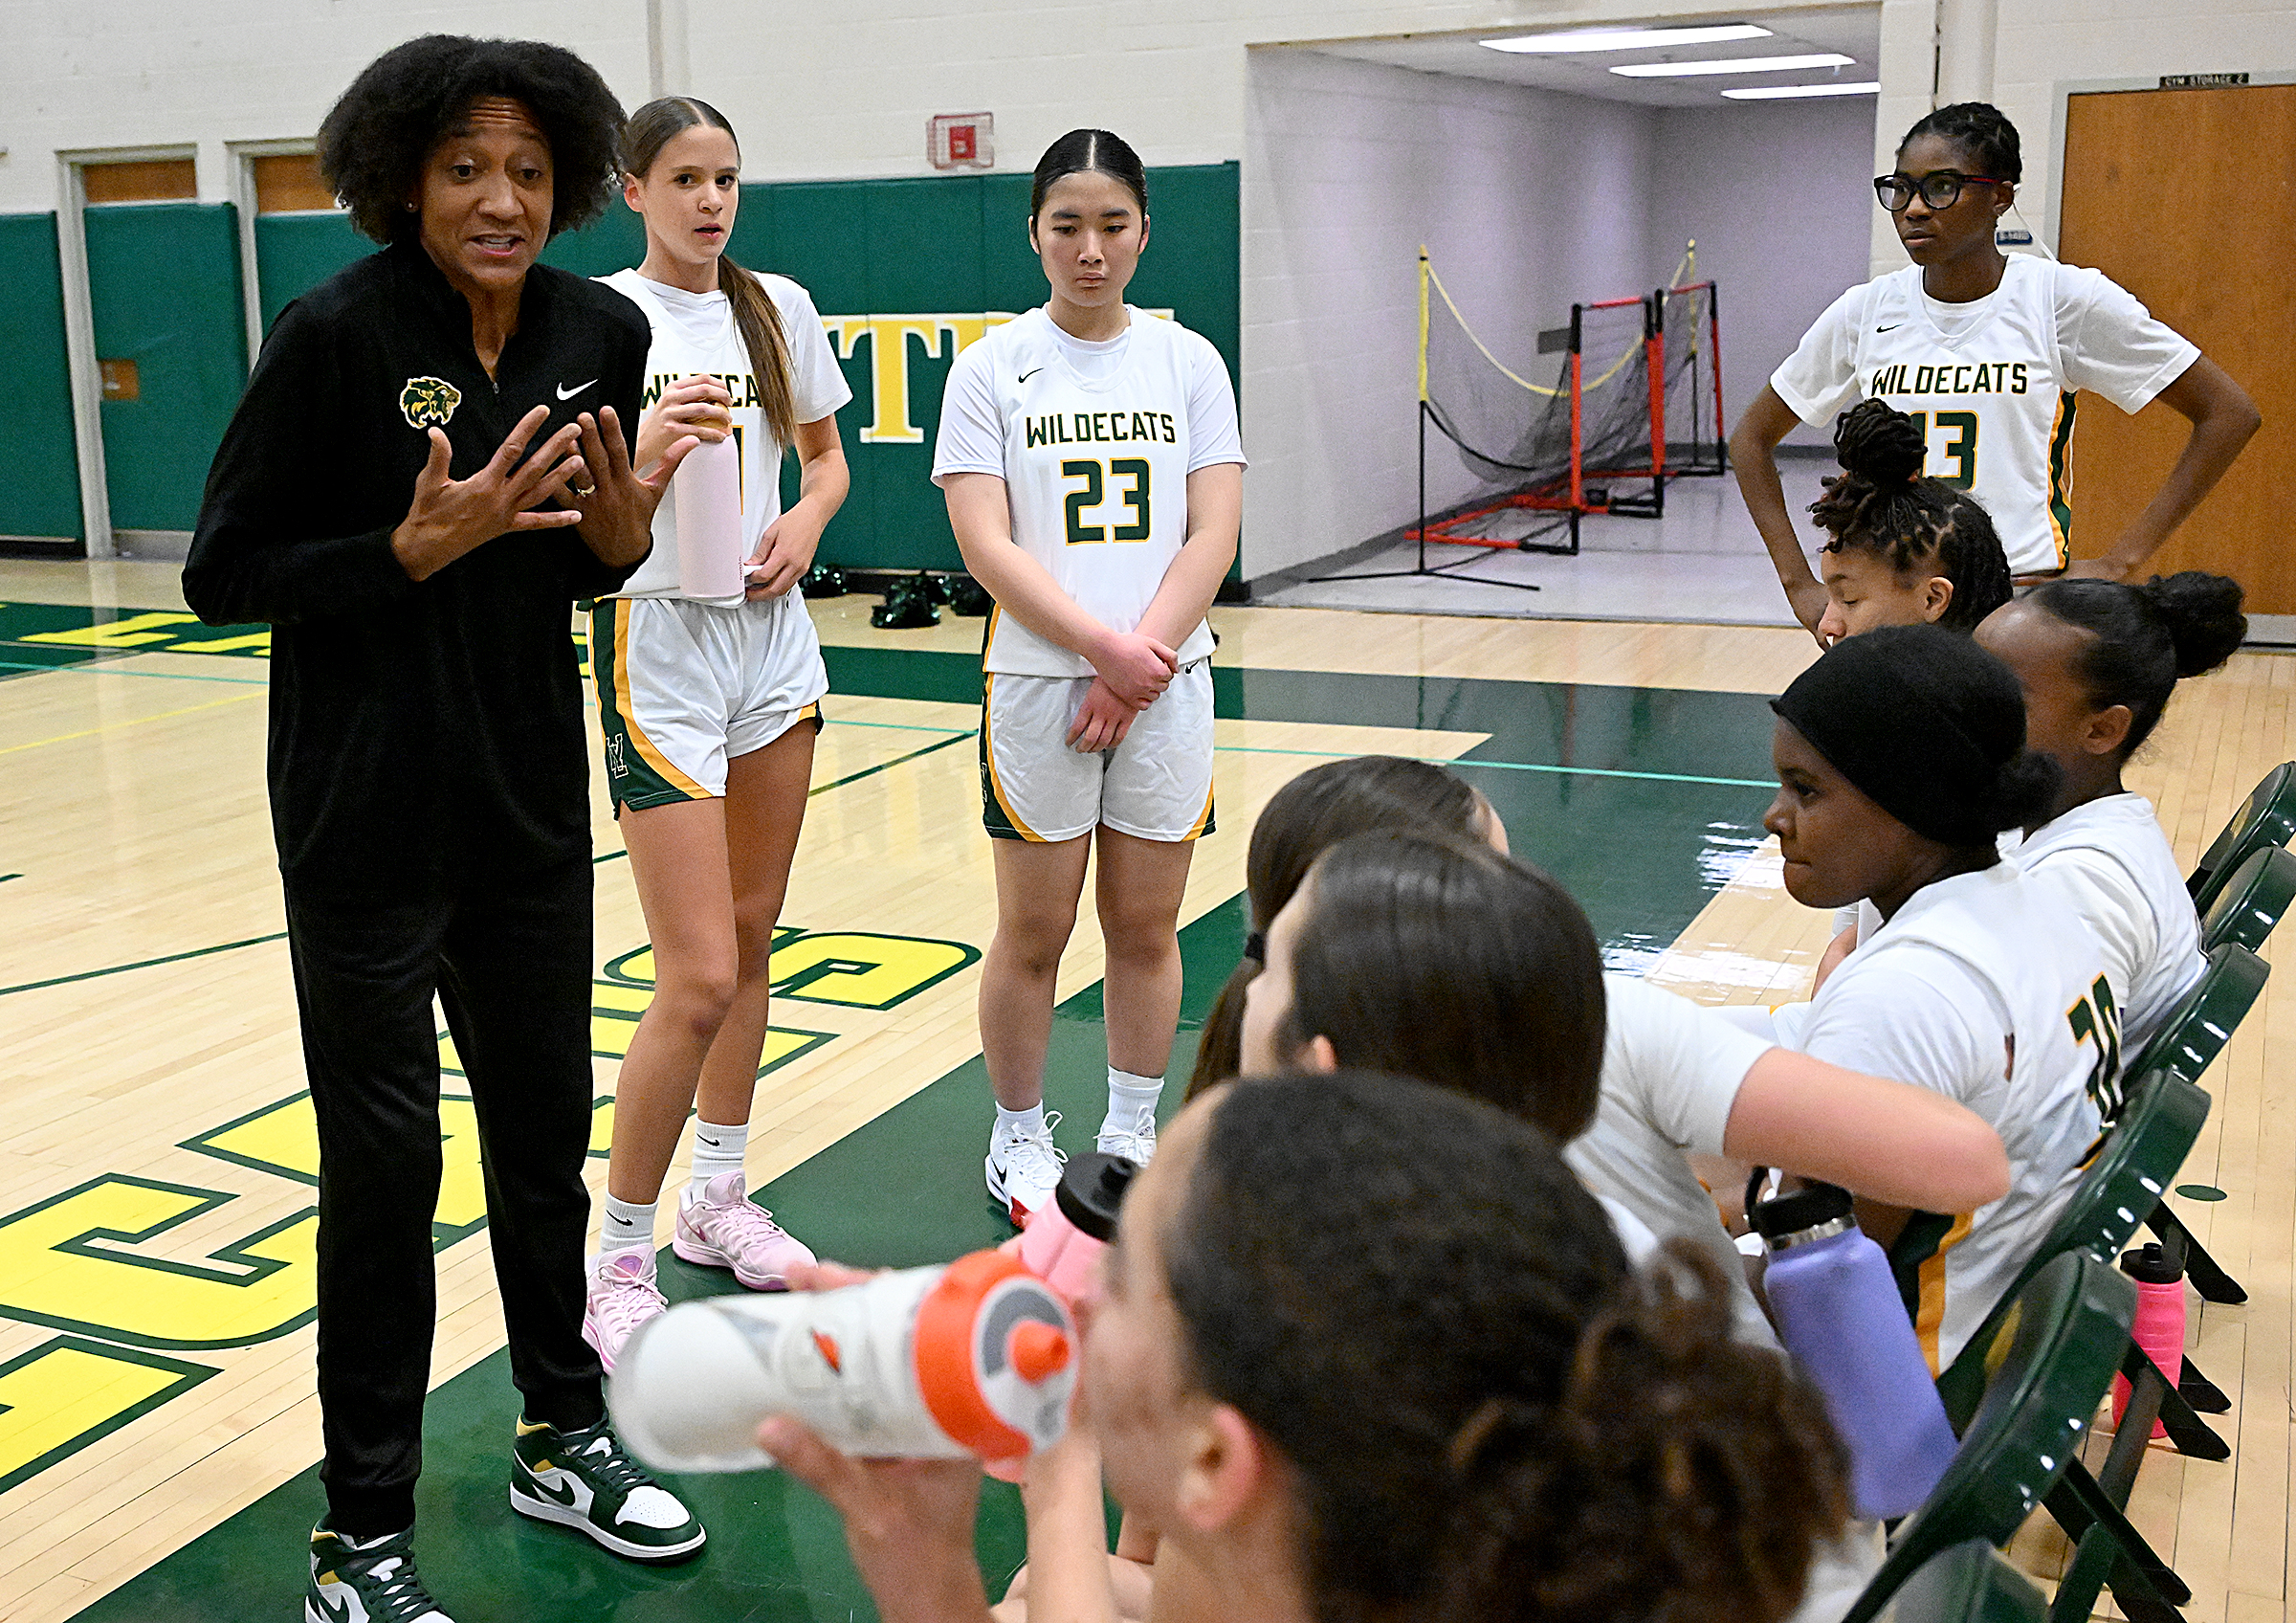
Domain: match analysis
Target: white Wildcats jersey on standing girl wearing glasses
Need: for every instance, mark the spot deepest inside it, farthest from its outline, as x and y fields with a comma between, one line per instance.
x=1992, y=382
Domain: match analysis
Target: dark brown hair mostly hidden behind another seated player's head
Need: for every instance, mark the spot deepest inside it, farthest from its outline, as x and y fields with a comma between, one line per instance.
x=1301, y=823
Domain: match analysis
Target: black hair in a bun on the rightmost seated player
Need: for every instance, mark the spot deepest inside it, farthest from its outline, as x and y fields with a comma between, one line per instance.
x=2146, y=637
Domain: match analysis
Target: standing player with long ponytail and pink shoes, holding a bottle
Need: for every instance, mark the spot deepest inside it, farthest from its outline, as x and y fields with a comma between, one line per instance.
x=708, y=708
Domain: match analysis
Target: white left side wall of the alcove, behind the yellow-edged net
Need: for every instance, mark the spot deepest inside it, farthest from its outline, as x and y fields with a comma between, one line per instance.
x=1526, y=201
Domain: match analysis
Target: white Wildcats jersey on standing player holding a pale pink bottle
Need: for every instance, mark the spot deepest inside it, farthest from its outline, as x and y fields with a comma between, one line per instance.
x=699, y=334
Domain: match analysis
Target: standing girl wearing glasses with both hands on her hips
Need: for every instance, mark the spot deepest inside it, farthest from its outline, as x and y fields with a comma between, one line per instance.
x=1987, y=352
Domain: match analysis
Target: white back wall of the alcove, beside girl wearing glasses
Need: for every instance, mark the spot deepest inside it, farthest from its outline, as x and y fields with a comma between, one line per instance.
x=1776, y=196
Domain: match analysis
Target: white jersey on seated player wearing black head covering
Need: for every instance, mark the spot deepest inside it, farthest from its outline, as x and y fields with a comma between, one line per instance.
x=1983, y=988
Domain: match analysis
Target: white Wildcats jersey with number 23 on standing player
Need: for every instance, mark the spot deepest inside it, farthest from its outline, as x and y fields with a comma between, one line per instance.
x=1094, y=444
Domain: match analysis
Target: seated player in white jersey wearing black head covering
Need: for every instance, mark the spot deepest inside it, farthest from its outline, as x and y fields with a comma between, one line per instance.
x=1900, y=761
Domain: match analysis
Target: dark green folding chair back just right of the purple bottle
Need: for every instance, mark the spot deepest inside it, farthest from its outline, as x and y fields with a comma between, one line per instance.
x=2056, y=1353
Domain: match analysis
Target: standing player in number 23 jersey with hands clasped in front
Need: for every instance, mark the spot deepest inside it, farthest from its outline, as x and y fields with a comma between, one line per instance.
x=1094, y=483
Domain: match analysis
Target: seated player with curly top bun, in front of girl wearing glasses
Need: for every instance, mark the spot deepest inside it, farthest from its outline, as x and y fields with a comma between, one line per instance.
x=1905, y=550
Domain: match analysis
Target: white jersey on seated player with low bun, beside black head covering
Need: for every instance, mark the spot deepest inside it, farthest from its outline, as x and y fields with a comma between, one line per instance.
x=2111, y=864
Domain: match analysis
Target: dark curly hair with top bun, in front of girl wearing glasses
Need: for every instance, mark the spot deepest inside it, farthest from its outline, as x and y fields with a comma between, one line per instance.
x=1882, y=504
